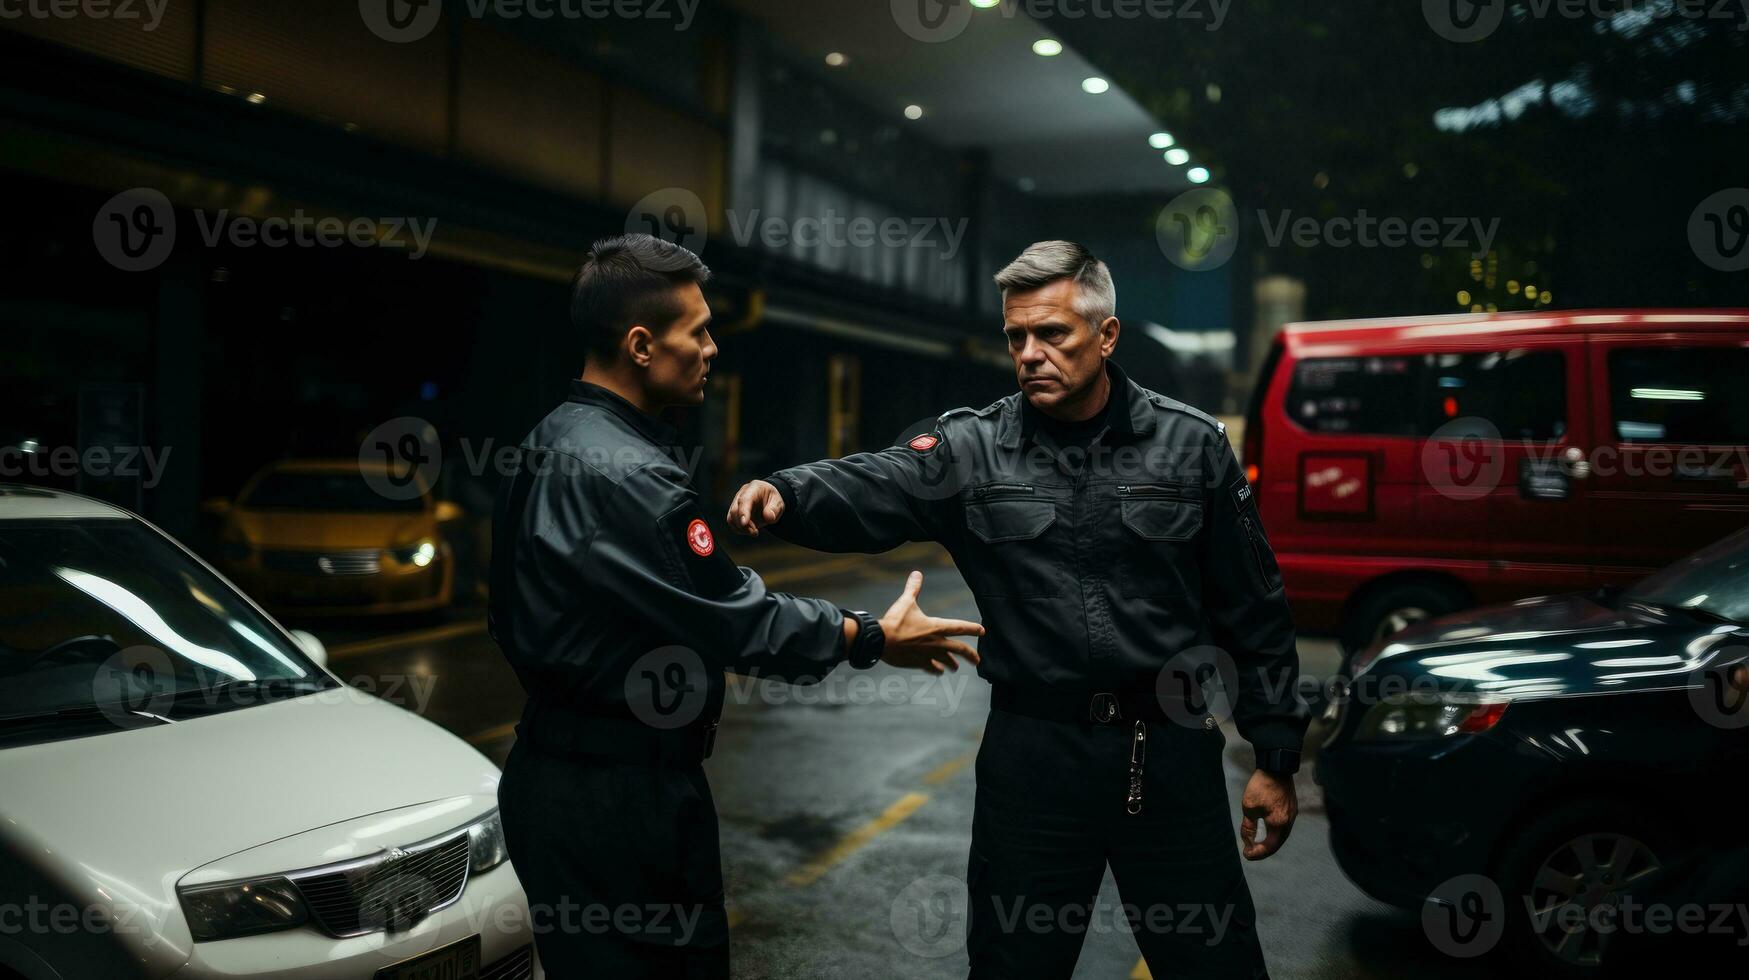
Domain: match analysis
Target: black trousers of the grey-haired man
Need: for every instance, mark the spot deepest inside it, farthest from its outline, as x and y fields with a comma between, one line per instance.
x=1052, y=815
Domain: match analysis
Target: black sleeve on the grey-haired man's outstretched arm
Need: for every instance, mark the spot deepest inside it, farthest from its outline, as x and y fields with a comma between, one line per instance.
x=867, y=501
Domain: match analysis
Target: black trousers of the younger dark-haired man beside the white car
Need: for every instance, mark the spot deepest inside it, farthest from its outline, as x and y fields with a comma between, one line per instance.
x=622, y=867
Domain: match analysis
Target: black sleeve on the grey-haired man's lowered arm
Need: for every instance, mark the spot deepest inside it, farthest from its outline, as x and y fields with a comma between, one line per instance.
x=1248, y=610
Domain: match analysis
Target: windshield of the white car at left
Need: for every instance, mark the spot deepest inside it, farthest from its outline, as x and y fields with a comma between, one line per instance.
x=108, y=620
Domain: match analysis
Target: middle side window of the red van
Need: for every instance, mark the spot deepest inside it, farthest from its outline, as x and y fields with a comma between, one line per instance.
x=1521, y=393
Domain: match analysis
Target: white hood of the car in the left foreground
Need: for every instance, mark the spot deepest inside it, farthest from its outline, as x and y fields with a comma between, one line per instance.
x=116, y=820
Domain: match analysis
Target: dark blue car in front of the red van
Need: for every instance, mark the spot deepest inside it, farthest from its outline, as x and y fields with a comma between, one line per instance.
x=1557, y=778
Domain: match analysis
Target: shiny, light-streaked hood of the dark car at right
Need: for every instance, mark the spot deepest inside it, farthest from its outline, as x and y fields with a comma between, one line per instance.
x=1554, y=647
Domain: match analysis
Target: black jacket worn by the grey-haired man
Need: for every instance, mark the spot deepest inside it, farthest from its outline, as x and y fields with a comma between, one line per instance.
x=1092, y=575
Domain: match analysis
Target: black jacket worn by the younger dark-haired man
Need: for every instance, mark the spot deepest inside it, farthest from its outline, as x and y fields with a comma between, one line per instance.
x=601, y=557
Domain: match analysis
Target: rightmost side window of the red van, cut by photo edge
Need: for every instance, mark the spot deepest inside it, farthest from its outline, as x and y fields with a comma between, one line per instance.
x=1680, y=395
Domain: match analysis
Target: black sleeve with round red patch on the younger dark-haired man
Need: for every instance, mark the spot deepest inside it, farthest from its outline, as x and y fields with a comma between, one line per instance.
x=655, y=554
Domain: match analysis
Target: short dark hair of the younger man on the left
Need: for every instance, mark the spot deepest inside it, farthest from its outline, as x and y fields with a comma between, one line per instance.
x=629, y=281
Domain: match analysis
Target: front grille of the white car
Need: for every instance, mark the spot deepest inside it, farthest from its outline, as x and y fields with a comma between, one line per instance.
x=387, y=893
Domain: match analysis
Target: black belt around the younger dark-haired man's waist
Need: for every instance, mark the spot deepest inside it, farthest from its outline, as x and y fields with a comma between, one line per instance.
x=610, y=734
